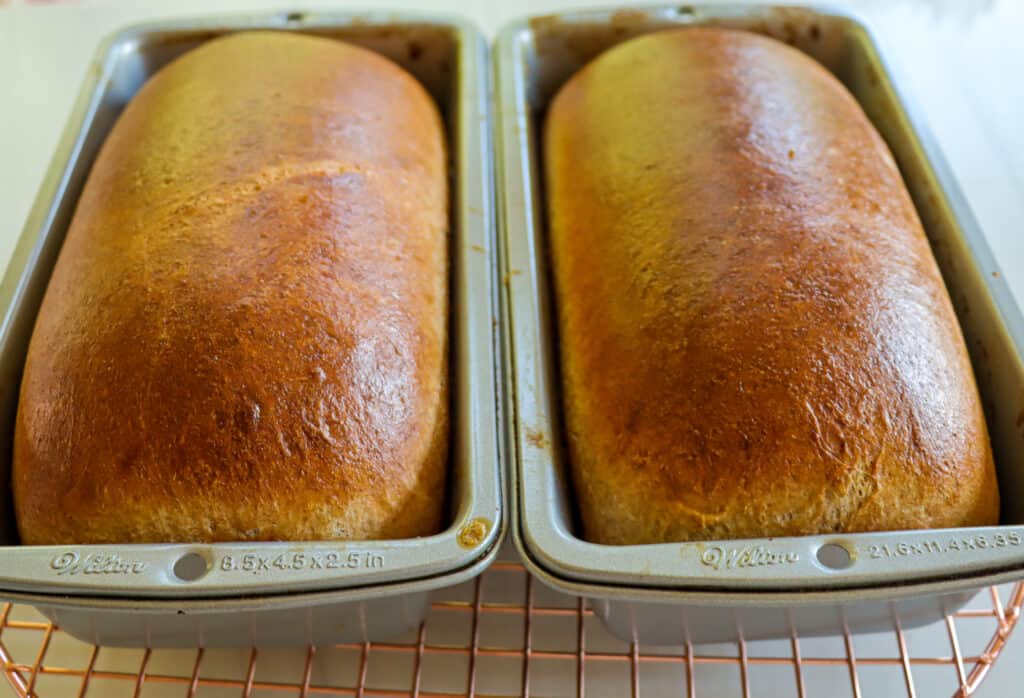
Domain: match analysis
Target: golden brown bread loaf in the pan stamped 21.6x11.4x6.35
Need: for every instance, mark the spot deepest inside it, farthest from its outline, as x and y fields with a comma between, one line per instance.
x=755, y=338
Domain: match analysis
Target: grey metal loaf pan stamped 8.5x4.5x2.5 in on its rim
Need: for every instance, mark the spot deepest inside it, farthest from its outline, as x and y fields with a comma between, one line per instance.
x=275, y=593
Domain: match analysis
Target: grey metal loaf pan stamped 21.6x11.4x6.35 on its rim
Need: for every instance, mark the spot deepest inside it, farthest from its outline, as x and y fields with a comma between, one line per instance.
x=721, y=591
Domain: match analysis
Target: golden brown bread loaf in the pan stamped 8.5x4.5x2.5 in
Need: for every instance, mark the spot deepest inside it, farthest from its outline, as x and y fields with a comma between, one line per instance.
x=245, y=337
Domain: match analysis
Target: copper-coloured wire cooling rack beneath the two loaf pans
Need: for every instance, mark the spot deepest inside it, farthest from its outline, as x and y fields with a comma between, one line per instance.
x=507, y=635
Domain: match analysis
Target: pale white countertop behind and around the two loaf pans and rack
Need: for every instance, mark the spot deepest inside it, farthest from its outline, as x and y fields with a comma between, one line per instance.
x=963, y=62
